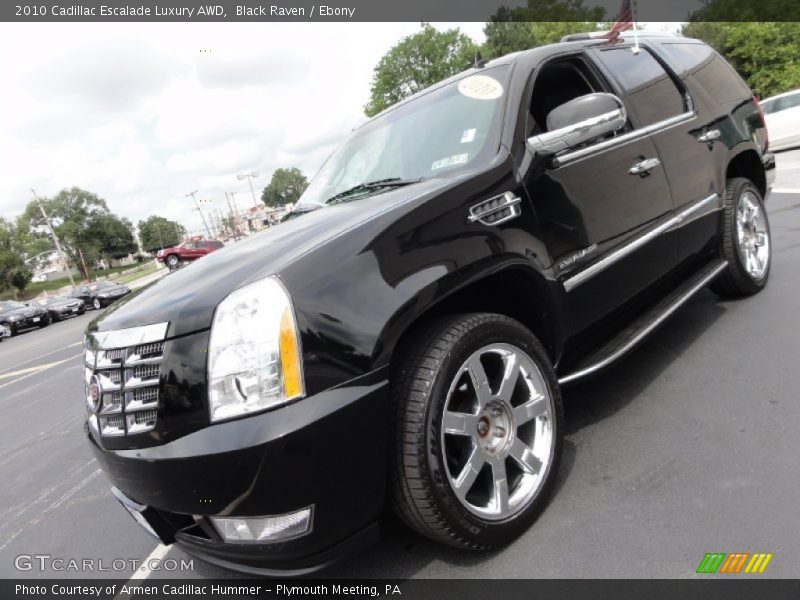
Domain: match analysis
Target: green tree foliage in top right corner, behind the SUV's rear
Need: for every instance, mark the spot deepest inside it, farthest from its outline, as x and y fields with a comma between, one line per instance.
x=766, y=55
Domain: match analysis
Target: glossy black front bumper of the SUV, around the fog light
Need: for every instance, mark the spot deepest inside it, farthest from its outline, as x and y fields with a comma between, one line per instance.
x=328, y=450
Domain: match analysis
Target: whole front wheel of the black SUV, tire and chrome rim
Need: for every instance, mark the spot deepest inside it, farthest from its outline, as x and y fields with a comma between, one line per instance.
x=478, y=430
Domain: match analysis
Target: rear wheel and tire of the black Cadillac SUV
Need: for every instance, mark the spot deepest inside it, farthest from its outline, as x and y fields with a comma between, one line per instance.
x=746, y=244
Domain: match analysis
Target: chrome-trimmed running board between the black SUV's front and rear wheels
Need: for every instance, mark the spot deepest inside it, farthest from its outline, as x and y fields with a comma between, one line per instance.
x=643, y=326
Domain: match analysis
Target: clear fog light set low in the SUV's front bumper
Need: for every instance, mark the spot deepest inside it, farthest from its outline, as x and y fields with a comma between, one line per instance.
x=265, y=529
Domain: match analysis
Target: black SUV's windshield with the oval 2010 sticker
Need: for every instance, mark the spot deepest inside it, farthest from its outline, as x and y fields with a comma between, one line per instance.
x=442, y=131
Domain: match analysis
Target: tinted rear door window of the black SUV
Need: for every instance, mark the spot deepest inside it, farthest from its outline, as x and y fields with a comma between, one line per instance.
x=652, y=92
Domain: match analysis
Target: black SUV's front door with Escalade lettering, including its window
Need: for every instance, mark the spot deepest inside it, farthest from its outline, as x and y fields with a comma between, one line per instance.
x=602, y=217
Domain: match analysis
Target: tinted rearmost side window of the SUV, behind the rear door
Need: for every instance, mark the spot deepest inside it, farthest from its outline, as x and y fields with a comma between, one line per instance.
x=708, y=69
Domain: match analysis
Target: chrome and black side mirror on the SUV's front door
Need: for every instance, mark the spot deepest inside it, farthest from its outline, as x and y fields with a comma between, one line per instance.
x=579, y=121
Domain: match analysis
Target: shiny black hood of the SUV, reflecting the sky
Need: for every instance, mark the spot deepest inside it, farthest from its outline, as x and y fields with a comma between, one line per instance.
x=187, y=298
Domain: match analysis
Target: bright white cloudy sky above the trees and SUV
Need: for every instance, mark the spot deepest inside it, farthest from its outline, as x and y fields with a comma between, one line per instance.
x=142, y=114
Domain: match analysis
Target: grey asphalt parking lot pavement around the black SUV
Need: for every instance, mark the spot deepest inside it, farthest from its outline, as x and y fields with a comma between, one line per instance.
x=690, y=445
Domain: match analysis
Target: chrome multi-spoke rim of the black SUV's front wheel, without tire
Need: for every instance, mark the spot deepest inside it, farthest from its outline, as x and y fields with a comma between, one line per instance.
x=497, y=432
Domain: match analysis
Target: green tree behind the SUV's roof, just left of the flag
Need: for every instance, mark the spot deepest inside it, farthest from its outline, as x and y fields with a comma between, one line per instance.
x=538, y=23
